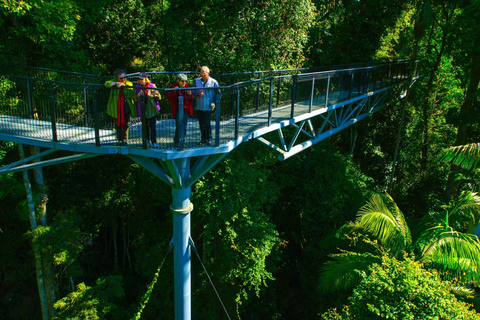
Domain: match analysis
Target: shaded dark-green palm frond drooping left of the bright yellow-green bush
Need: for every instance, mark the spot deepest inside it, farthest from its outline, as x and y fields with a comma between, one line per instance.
x=342, y=272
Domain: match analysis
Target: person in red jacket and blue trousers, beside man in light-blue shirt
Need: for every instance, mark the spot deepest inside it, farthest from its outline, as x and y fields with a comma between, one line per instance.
x=181, y=116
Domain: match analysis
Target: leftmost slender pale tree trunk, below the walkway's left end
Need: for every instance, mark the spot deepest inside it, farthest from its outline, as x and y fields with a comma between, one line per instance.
x=33, y=226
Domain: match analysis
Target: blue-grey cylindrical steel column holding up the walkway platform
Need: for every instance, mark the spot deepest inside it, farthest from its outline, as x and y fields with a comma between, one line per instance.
x=181, y=208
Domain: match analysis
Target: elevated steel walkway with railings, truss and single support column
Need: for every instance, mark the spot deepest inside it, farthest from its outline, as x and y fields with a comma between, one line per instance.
x=59, y=110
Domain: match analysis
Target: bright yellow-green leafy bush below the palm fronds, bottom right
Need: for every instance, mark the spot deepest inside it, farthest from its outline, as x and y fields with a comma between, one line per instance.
x=396, y=289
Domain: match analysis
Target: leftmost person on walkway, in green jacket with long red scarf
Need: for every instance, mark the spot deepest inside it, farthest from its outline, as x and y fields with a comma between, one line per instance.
x=121, y=105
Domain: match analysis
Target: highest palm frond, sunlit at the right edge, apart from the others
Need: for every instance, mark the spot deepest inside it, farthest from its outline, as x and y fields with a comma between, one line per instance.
x=465, y=156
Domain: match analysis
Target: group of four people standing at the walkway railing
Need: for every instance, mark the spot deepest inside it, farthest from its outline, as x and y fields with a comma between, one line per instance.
x=124, y=103
